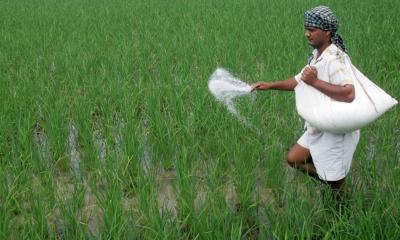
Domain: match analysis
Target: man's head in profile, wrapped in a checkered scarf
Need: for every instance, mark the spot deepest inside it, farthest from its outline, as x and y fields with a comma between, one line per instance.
x=321, y=26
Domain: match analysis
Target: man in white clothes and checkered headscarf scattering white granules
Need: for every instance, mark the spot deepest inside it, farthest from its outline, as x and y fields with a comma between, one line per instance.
x=323, y=155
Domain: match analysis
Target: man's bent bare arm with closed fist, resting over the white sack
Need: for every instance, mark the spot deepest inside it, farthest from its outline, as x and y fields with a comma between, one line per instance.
x=340, y=93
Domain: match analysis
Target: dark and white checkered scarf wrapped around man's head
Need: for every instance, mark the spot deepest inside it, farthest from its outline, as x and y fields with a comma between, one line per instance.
x=323, y=18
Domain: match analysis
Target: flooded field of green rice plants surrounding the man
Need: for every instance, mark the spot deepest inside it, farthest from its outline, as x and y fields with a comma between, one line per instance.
x=139, y=70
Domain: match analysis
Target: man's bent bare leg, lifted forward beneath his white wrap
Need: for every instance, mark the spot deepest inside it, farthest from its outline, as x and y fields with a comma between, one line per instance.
x=300, y=158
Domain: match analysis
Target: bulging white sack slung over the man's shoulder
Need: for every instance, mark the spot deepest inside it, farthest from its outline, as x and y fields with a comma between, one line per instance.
x=324, y=113
